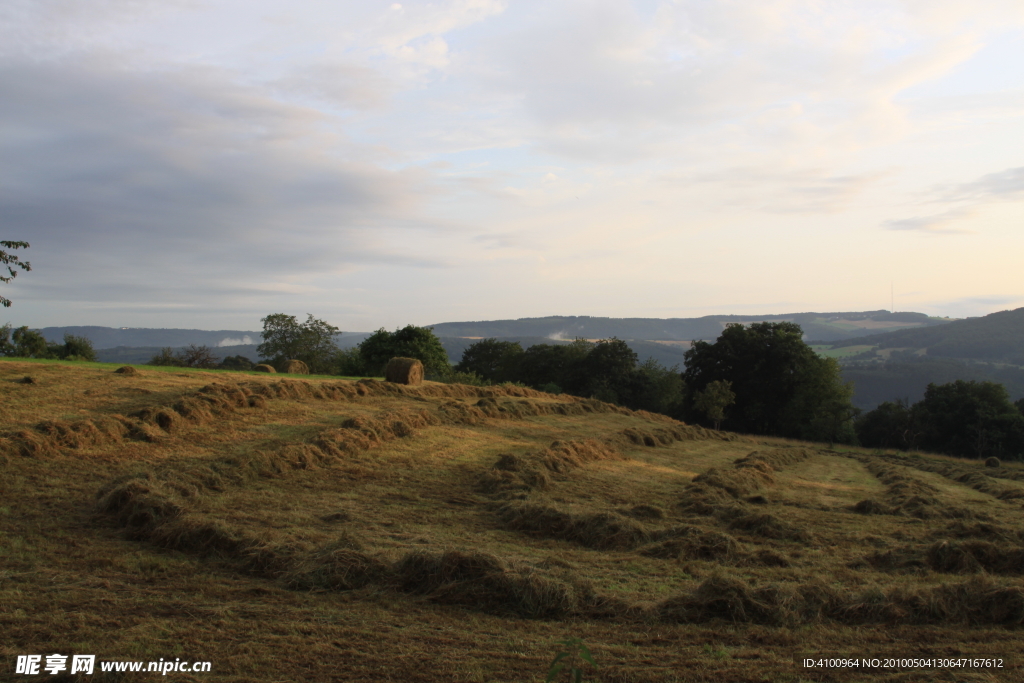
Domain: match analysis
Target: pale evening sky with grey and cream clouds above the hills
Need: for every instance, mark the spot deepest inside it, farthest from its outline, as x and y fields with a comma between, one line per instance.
x=203, y=164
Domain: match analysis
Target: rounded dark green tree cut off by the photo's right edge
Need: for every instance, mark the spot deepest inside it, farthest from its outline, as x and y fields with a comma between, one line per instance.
x=970, y=420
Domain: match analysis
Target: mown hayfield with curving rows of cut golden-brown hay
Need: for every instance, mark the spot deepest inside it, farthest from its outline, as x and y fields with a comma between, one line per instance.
x=326, y=530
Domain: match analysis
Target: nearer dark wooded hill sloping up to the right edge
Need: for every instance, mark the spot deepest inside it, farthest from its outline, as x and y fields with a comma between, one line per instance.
x=998, y=337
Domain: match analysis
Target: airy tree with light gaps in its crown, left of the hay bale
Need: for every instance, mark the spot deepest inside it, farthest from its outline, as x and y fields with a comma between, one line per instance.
x=313, y=343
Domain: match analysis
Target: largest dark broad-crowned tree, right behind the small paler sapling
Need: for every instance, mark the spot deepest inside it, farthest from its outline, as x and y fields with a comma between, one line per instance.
x=782, y=386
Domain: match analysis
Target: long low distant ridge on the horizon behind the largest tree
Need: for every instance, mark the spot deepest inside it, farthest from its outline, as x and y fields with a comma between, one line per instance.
x=817, y=327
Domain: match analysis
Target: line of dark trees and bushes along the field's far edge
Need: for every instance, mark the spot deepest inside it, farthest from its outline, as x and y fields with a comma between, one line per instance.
x=757, y=379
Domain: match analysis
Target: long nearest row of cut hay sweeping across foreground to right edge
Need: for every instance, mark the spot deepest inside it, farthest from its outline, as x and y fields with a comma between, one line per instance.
x=486, y=583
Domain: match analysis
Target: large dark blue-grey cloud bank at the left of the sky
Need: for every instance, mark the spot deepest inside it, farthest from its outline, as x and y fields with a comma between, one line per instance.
x=182, y=182
